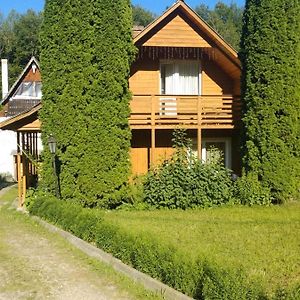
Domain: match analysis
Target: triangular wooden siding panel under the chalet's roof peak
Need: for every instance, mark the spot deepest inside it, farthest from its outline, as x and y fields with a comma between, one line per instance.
x=177, y=33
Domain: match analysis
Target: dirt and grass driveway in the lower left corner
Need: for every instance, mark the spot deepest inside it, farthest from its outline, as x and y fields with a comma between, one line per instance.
x=35, y=264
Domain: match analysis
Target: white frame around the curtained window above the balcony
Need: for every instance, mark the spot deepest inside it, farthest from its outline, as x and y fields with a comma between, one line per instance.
x=177, y=62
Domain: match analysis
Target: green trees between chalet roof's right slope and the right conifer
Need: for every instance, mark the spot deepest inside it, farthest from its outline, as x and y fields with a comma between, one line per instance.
x=225, y=19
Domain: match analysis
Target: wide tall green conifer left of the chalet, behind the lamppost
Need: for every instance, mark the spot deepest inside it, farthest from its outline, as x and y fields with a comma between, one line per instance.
x=85, y=60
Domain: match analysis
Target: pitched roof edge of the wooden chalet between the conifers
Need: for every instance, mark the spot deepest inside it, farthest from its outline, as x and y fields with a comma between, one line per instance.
x=180, y=6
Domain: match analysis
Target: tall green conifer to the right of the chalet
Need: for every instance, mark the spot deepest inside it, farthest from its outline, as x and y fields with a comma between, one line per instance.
x=271, y=94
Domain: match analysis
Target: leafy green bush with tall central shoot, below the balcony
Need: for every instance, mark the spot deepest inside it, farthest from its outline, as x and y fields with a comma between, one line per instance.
x=186, y=182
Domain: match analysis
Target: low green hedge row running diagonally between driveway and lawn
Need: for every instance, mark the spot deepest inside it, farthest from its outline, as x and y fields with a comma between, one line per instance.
x=199, y=279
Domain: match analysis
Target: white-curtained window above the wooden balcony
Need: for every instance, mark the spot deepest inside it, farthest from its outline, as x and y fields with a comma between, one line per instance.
x=180, y=78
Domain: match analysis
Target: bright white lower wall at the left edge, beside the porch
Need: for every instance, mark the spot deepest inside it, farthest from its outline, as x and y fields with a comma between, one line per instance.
x=8, y=147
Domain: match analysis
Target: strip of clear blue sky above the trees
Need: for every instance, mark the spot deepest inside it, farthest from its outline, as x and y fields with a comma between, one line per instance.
x=156, y=6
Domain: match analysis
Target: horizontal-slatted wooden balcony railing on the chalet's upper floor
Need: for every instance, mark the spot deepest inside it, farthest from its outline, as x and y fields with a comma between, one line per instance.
x=169, y=111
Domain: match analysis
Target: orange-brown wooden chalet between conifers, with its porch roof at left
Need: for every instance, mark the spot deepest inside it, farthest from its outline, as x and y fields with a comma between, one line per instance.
x=185, y=75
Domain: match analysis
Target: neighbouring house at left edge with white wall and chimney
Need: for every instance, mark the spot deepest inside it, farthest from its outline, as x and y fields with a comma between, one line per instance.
x=23, y=95
